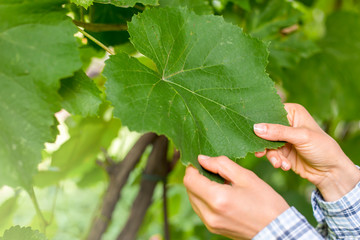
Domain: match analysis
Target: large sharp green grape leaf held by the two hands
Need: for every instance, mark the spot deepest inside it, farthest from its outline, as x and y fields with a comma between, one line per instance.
x=209, y=90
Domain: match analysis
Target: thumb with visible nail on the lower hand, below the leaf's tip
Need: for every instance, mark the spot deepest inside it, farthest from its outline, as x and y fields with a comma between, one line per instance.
x=222, y=165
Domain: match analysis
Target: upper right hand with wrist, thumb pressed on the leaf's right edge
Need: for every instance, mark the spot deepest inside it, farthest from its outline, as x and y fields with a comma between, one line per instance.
x=310, y=152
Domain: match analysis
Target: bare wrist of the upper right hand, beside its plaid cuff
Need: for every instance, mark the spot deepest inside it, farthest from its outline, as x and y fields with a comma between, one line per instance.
x=339, y=181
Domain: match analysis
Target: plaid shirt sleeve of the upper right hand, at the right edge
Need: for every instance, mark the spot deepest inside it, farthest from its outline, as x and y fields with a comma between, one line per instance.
x=339, y=219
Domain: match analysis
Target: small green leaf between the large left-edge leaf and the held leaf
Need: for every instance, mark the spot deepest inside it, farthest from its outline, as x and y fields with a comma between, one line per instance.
x=80, y=95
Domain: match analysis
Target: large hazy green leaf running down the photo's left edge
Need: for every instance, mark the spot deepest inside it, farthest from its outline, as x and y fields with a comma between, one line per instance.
x=37, y=49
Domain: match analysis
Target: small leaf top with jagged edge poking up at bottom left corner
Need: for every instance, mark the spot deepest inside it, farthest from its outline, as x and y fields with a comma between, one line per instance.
x=21, y=233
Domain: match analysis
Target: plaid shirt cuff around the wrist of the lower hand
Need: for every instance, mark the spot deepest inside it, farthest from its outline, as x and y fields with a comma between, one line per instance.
x=290, y=225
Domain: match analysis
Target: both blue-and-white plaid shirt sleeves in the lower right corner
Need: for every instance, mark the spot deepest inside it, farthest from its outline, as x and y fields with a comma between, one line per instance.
x=336, y=220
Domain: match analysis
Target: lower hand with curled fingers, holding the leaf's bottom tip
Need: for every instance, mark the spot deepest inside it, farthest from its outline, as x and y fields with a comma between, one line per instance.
x=238, y=210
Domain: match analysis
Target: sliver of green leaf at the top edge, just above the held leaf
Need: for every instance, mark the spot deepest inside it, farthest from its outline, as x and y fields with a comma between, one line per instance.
x=198, y=6
